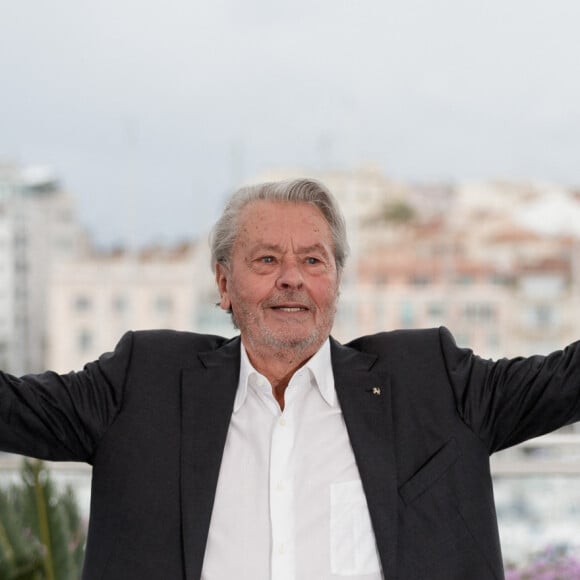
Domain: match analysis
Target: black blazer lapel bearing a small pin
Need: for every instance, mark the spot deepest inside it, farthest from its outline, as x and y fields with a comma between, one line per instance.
x=365, y=398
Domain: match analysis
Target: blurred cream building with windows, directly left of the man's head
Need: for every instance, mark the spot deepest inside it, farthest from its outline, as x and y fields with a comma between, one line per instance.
x=95, y=299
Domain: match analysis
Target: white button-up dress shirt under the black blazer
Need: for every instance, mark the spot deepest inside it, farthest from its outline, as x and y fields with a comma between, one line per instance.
x=289, y=503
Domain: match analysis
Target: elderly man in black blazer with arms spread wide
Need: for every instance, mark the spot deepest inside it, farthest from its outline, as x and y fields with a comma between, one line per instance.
x=282, y=454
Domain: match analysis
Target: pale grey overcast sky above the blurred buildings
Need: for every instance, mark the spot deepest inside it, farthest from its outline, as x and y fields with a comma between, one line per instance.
x=152, y=111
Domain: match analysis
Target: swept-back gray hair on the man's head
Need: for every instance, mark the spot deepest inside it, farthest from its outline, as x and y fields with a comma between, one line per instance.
x=225, y=231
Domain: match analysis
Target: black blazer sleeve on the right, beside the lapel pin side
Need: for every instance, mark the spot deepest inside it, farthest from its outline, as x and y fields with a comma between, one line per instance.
x=511, y=400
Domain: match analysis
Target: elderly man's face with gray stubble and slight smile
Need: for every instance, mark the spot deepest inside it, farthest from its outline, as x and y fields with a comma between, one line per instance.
x=282, y=281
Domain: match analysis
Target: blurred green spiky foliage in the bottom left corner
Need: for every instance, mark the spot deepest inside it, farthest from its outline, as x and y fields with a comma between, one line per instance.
x=41, y=533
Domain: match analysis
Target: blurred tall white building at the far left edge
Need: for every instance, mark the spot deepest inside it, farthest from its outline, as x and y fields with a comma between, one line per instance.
x=38, y=228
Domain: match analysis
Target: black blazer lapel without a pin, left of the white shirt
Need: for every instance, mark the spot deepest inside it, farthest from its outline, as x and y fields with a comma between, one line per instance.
x=207, y=399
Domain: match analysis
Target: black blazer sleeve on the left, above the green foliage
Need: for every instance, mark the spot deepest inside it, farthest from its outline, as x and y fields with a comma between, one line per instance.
x=63, y=417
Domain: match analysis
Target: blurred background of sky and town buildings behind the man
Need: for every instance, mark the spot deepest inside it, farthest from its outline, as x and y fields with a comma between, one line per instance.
x=449, y=131
